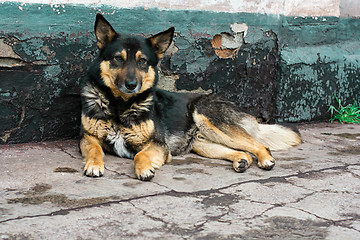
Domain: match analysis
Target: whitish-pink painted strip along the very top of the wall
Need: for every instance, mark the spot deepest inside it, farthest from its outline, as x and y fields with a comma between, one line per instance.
x=281, y=7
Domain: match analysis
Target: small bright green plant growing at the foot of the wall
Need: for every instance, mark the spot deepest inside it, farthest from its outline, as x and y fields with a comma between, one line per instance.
x=345, y=114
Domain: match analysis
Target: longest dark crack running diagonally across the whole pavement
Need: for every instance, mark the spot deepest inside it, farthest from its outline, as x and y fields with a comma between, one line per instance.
x=182, y=194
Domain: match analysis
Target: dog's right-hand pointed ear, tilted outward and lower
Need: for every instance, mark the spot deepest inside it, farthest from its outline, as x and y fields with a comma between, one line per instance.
x=161, y=41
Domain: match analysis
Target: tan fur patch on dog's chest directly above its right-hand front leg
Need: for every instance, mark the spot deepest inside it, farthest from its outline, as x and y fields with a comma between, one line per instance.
x=139, y=134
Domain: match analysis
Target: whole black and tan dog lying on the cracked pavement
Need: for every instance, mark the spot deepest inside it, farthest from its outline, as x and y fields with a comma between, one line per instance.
x=124, y=113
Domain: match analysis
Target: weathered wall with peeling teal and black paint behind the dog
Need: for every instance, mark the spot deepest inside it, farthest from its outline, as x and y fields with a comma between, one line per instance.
x=277, y=67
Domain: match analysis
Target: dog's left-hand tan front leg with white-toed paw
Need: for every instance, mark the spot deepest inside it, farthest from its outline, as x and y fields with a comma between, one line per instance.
x=93, y=155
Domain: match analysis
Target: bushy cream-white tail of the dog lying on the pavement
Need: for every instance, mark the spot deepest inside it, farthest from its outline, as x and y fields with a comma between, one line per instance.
x=276, y=137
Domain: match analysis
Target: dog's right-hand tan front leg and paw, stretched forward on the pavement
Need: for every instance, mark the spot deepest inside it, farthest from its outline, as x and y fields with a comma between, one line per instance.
x=151, y=157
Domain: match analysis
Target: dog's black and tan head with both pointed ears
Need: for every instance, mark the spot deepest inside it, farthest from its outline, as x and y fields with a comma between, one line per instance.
x=128, y=63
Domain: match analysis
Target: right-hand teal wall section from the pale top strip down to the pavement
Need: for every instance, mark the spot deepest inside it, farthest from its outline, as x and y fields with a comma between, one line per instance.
x=319, y=57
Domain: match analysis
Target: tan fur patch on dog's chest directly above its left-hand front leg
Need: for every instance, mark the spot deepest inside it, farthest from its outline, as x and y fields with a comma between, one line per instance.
x=96, y=127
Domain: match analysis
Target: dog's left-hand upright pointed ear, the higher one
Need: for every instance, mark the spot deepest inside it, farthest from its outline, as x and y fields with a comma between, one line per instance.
x=104, y=31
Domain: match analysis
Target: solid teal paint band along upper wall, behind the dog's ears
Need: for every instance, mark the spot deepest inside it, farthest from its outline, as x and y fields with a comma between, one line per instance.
x=79, y=19
